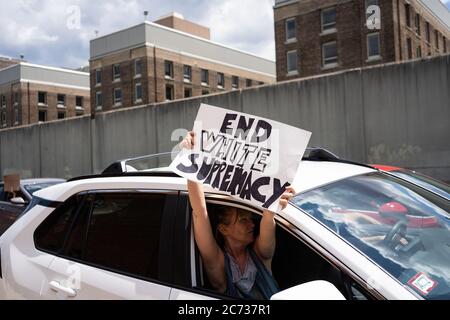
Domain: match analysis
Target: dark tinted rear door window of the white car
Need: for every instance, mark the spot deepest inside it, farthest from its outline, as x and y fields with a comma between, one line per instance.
x=123, y=233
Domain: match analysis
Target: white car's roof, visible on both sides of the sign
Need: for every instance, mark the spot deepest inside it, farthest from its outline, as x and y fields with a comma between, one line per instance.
x=310, y=175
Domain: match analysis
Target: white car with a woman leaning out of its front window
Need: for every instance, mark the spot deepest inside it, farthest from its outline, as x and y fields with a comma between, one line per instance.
x=351, y=232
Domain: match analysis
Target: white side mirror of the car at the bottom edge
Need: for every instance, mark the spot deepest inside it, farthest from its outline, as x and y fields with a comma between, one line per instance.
x=314, y=290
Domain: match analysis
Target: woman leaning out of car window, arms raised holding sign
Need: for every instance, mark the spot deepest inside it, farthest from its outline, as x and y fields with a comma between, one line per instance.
x=241, y=265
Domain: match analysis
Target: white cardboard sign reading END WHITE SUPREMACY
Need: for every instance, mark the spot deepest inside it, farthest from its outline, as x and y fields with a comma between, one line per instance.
x=245, y=156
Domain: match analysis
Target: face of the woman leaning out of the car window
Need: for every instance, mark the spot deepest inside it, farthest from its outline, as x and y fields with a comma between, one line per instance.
x=241, y=227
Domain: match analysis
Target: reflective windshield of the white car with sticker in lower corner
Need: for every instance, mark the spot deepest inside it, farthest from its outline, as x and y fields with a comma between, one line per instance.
x=403, y=228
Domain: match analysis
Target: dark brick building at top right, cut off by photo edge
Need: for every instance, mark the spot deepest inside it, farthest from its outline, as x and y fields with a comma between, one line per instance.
x=320, y=36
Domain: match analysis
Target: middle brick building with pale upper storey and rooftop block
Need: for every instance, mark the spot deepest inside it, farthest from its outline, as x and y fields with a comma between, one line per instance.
x=169, y=59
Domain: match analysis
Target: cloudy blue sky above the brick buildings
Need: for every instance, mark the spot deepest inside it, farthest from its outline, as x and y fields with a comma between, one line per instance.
x=57, y=32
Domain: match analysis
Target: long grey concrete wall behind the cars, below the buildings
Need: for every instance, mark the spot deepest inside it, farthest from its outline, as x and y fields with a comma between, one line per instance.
x=397, y=114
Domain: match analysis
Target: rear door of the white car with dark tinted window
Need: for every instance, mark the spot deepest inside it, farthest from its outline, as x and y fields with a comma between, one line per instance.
x=114, y=248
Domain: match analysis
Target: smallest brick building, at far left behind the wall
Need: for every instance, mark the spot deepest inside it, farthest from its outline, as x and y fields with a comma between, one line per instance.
x=32, y=93
